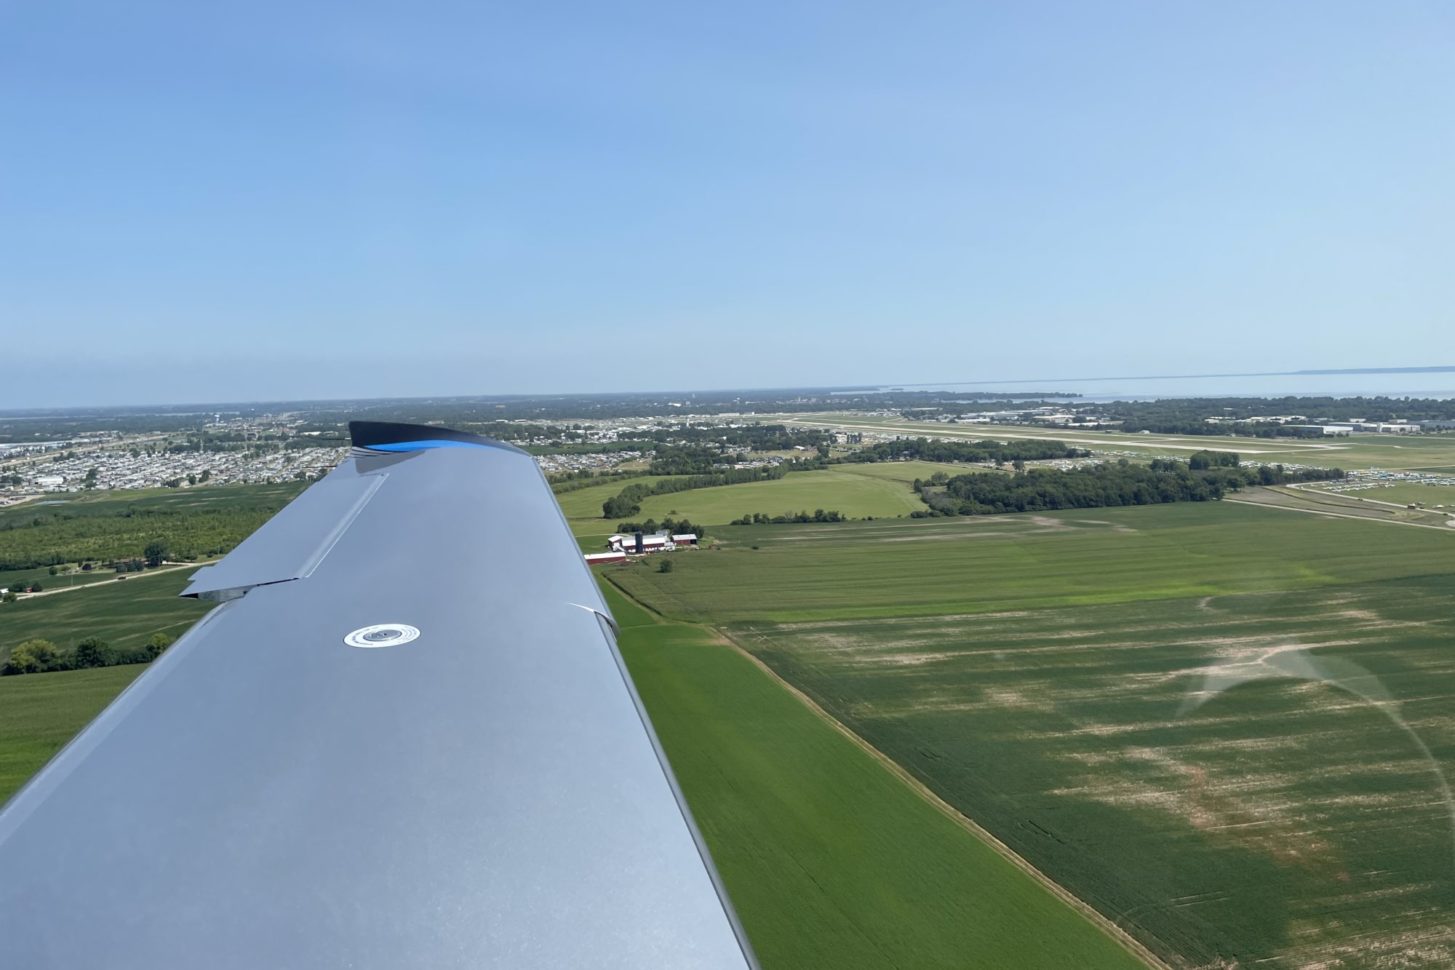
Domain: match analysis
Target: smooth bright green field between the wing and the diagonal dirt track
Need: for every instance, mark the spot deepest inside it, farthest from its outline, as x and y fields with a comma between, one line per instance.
x=830, y=860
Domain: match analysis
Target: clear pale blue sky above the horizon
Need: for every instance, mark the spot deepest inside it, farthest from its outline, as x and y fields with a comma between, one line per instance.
x=300, y=200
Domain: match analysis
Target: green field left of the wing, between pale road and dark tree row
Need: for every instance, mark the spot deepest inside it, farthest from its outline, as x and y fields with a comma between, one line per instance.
x=124, y=613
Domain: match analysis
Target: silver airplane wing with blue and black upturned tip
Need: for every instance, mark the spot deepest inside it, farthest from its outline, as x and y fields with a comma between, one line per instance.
x=405, y=738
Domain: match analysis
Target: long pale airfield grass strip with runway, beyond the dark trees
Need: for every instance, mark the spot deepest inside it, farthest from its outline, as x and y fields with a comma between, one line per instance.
x=1427, y=453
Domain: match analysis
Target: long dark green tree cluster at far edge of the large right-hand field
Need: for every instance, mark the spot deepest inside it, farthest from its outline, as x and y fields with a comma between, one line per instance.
x=1107, y=485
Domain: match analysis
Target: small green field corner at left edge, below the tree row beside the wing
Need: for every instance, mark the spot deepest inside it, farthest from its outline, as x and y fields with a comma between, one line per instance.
x=41, y=712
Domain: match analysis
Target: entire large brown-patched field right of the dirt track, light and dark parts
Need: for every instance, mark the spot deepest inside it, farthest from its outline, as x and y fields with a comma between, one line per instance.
x=1226, y=728
